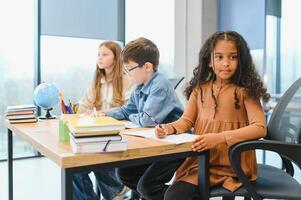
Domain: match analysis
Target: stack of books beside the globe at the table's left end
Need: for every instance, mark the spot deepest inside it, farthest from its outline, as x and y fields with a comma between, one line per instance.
x=21, y=113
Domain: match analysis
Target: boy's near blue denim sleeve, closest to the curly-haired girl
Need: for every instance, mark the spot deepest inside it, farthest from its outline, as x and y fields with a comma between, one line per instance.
x=158, y=105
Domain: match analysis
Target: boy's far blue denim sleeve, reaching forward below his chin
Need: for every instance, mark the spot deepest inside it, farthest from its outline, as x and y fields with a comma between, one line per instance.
x=124, y=111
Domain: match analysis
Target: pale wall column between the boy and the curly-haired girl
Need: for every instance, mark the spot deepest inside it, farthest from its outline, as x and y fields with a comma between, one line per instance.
x=195, y=20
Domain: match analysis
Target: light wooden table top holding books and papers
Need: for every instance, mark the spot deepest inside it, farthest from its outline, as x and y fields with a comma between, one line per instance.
x=44, y=136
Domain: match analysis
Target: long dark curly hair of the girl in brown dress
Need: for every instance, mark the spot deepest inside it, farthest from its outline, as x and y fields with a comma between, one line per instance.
x=245, y=76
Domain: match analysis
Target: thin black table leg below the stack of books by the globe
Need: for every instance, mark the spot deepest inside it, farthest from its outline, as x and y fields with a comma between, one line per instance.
x=10, y=164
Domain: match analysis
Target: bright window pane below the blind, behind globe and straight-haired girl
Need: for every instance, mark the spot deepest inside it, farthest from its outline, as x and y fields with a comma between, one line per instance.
x=69, y=63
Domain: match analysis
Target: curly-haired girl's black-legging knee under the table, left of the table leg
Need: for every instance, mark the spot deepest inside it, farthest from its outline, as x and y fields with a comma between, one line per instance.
x=181, y=190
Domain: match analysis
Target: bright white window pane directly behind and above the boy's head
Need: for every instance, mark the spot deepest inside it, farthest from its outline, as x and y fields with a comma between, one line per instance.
x=153, y=19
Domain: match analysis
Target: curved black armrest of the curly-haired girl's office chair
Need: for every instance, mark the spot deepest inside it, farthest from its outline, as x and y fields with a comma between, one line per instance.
x=288, y=150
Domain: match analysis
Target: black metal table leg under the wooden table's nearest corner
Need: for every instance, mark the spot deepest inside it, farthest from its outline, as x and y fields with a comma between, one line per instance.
x=66, y=181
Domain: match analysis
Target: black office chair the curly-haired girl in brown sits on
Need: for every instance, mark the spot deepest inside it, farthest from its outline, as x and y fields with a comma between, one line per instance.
x=284, y=130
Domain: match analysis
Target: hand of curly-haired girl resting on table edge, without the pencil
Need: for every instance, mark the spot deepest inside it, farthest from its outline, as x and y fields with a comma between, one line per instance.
x=207, y=141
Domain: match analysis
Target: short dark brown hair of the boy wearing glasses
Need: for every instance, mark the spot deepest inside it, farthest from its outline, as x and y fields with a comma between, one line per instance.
x=141, y=50
